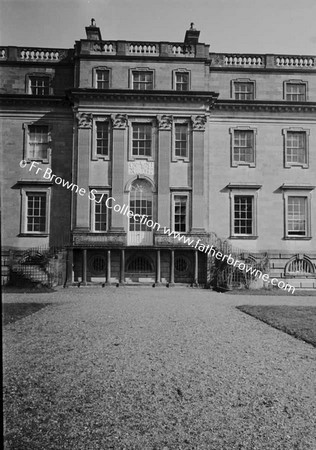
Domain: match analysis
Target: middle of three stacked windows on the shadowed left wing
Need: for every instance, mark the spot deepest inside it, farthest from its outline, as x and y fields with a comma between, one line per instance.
x=38, y=140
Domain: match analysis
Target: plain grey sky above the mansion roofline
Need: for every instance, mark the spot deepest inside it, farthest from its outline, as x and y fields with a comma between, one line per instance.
x=232, y=26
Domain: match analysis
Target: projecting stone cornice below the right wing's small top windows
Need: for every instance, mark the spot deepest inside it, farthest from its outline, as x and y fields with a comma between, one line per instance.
x=271, y=106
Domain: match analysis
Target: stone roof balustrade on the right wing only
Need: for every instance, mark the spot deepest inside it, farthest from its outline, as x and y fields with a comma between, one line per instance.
x=262, y=61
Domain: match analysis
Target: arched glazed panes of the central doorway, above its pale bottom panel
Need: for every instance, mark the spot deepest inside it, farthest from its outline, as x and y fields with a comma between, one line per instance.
x=141, y=200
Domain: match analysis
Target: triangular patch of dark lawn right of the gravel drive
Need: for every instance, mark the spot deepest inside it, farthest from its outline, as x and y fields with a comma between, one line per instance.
x=298, y=321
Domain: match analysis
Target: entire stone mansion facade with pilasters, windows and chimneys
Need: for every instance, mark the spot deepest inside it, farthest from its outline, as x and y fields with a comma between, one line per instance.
x=205, y=144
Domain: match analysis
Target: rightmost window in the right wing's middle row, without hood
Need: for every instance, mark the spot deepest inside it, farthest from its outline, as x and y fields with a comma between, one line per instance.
x=296, y=147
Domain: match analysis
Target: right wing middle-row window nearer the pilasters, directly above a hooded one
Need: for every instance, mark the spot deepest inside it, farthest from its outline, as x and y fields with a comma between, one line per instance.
x=243, y=147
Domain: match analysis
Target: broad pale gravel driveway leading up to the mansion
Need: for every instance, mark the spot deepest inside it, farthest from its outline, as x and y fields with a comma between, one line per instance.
x=144, y=369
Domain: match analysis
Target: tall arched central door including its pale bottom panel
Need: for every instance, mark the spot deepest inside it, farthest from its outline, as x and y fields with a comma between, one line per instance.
x=141, y=203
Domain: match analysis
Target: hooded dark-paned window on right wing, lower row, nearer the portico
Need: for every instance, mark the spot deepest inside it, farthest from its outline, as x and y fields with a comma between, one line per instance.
x=243, y=207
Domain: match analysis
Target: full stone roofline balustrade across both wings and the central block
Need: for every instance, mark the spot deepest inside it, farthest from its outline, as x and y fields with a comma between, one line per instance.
x=162, y=49
